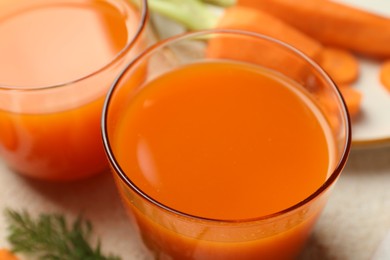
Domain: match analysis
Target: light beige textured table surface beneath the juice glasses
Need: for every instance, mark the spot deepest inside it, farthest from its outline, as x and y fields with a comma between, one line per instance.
x=353, y=226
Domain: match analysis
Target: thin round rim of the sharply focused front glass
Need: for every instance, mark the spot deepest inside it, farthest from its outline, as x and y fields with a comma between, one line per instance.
x=331, y=179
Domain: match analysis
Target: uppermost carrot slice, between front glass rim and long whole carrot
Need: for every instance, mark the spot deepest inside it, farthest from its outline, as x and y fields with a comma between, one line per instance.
x=341, y=65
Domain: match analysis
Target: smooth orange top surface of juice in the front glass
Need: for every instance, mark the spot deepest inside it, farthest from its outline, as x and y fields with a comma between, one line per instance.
x=223, y=141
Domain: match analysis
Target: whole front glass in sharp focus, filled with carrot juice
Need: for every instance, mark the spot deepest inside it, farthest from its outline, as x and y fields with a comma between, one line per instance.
x=227, y=148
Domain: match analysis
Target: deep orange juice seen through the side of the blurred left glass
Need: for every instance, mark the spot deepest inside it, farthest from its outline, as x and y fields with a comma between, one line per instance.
x=59, y=146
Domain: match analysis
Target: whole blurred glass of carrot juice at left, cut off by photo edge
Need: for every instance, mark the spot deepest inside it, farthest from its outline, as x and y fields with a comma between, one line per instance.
x=58, y=59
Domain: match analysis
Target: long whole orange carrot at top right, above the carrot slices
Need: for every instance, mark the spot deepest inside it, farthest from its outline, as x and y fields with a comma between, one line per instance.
x=332, y=23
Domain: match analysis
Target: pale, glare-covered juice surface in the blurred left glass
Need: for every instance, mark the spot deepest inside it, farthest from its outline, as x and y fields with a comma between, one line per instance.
x=58, y=42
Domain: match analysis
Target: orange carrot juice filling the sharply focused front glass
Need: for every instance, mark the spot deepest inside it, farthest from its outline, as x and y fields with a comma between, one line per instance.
x=224, y=142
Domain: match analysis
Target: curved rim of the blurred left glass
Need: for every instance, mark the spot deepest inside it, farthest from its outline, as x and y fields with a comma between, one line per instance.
x=140, y=28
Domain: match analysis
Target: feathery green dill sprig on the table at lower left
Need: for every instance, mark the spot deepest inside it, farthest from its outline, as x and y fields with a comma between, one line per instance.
x=49, y=237
